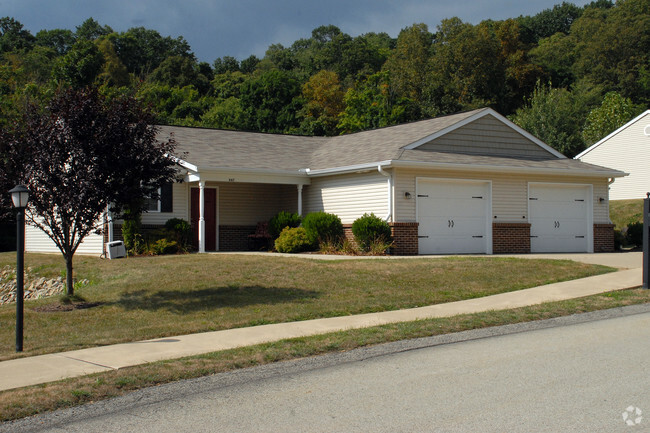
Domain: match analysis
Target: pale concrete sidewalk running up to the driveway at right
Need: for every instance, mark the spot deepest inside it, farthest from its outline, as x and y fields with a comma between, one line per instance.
x=48, y=368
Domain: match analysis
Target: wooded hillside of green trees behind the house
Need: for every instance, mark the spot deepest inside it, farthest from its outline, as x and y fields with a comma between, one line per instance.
x=569, y=74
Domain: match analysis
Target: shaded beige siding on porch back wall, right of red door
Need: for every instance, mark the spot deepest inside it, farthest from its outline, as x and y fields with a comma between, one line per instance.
x=250, y=203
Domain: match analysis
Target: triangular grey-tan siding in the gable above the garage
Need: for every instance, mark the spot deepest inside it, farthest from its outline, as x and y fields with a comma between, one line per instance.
x=487, y=136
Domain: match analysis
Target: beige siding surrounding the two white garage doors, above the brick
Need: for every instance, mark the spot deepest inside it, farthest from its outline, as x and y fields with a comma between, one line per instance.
x=509, y=193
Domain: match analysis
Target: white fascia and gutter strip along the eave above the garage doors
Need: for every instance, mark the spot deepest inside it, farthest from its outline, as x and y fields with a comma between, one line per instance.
x=508, y=169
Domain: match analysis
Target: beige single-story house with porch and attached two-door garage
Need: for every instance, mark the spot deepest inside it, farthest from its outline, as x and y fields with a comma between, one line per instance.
x=471, y=182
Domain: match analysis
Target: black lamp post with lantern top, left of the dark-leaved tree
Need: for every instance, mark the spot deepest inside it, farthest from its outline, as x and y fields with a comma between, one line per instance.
x=20, y=196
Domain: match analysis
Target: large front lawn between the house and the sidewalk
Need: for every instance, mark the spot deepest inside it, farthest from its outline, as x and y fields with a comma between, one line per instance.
x=150, y=297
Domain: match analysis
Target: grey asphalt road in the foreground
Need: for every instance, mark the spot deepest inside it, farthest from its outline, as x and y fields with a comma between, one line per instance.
x=578, y=374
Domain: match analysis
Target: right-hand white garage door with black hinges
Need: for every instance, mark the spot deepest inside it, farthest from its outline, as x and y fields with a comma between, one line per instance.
x=560, y=218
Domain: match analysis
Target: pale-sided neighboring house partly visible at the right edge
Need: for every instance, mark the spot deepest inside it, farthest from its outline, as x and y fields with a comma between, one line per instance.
x=626, y=149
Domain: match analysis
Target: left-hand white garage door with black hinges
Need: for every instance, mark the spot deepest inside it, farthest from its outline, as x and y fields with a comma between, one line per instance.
x=453, y=216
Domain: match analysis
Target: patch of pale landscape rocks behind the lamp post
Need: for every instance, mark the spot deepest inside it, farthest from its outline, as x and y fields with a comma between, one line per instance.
x=35, y=287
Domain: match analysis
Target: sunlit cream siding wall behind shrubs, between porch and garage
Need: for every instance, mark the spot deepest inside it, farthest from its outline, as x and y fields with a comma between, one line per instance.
x=348, y=196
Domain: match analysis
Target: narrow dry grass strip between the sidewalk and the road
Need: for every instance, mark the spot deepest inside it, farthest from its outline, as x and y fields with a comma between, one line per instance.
x=23, y=402
